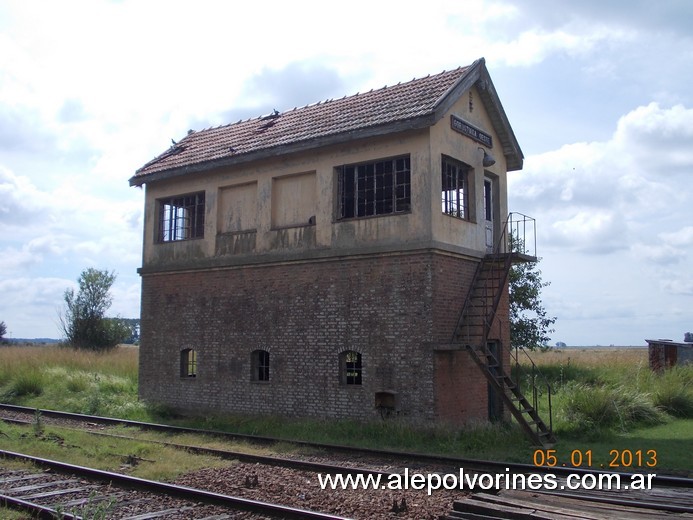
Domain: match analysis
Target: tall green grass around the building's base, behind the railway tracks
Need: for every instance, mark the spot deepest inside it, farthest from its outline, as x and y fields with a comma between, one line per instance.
x=604, y=401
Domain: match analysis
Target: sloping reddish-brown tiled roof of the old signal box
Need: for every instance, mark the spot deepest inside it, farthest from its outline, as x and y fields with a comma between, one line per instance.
x=331, y=118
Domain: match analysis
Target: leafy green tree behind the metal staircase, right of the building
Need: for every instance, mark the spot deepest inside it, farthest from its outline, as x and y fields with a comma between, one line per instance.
x=529, y=324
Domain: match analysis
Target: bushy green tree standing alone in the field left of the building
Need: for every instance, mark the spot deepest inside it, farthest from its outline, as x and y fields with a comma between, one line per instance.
x=83, y=321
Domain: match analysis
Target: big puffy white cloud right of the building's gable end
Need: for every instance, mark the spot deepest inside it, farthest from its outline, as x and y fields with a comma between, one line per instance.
x=602, y=196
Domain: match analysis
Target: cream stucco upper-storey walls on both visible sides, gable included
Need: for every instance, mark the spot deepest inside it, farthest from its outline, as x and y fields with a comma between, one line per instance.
x=287, y=207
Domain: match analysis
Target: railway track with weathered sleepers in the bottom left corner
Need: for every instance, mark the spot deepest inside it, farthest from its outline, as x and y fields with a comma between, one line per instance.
x=69, y=491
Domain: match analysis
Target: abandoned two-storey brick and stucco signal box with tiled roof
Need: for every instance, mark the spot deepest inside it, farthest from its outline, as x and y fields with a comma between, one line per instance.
x=316, y=262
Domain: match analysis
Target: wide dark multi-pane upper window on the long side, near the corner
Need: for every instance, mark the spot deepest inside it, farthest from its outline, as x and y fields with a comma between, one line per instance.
x=374, y=188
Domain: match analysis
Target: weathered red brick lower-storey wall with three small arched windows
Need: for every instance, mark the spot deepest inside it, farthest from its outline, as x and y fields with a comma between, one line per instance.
x=390, y=308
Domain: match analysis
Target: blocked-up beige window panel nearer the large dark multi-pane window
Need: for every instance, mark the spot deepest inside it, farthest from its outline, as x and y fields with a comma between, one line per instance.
x=293, y=200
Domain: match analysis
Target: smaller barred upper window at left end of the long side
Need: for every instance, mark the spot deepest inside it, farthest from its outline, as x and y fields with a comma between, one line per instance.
x=182, y=217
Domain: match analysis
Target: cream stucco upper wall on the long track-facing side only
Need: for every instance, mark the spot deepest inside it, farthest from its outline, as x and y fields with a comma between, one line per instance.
x=294, y=213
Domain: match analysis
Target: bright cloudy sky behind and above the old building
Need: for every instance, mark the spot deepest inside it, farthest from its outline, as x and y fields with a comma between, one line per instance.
x=598, y=94
